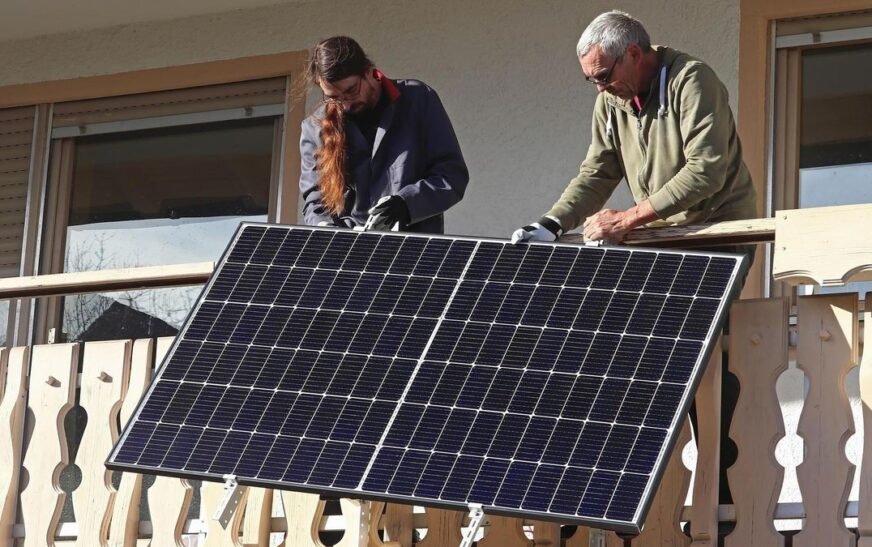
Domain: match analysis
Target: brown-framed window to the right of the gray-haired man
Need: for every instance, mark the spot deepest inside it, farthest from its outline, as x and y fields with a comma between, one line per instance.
x=822, y=153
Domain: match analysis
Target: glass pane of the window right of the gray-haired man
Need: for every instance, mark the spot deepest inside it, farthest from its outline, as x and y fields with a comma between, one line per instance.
x=835, y=156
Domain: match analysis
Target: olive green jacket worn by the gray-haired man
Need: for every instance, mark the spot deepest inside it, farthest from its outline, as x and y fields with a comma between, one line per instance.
x=681, y=153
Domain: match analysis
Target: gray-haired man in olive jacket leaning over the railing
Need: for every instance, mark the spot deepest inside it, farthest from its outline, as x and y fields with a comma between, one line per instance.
x=662, y=121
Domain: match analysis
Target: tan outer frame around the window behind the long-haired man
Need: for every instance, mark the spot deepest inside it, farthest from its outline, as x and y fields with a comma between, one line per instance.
x=45, y=194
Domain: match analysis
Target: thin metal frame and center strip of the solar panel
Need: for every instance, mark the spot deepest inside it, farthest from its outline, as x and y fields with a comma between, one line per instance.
x=632, y=527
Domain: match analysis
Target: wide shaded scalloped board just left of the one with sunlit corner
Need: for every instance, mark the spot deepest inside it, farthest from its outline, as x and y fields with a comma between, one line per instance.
x=758, y=356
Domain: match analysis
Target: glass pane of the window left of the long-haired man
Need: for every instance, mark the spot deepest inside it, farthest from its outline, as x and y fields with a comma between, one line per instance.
x=163, y=196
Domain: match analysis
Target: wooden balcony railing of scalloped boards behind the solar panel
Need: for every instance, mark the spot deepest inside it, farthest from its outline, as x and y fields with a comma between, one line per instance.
x=41, y=385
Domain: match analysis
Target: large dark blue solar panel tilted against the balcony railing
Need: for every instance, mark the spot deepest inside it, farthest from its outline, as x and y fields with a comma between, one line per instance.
x=543, y=380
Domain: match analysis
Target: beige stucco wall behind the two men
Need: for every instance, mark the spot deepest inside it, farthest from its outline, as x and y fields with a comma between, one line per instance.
x=505, y=69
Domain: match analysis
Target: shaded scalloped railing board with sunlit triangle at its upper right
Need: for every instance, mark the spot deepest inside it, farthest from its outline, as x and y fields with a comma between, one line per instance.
x=827, y=350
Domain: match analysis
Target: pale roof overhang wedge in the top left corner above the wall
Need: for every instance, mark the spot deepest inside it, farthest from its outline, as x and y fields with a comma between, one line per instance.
x=20, y=19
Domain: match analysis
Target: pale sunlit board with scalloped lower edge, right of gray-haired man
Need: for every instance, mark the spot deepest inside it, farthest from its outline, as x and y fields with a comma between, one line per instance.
x=813, y=246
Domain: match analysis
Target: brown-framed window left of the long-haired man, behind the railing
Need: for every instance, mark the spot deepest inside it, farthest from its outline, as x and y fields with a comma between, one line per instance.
x=151, y=179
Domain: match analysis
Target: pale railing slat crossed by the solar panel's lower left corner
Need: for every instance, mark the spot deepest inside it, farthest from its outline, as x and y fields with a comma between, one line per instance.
x=124, y=525
